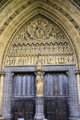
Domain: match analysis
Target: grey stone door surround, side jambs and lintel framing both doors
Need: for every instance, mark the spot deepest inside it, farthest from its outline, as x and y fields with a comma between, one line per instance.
x=73, y=87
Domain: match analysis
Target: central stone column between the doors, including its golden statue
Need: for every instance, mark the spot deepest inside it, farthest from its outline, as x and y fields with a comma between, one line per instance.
x=39, y=115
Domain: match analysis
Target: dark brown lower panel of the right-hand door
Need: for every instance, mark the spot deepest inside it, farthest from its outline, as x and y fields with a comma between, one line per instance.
x=56, y=109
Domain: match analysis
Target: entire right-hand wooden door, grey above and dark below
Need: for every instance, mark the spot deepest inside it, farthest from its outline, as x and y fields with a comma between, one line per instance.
x=56, y=92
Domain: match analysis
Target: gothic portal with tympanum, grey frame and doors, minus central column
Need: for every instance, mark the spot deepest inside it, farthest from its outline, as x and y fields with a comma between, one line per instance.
x=40, y=38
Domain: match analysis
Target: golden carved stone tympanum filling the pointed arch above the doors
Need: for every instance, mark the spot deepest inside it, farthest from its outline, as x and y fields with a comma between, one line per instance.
x=40, y=38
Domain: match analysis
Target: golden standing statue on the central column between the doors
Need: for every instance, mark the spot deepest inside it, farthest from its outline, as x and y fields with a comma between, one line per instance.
x=39, y=84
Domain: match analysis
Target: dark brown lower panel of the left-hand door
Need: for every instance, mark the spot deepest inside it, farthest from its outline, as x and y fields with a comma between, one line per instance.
x=24, y=109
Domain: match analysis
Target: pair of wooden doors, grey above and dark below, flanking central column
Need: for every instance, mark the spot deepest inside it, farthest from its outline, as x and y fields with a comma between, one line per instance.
x=55, y=92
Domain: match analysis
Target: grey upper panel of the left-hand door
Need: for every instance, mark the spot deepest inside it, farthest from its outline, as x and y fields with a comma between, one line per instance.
x=24, y=84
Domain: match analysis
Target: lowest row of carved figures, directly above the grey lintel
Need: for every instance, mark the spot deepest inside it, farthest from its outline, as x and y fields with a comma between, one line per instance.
x=46, y=60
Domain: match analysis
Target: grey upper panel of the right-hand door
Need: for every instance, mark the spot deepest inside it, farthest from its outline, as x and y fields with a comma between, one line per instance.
x=55, y=84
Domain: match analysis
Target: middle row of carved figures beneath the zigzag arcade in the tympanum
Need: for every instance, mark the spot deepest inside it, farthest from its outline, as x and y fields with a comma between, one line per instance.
x=40, y=48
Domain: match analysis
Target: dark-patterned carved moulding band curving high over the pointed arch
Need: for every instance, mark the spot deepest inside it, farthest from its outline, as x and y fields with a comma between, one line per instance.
x=45, y=1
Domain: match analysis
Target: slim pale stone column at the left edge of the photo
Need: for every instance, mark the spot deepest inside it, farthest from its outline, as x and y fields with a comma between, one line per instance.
x=2, y=73
